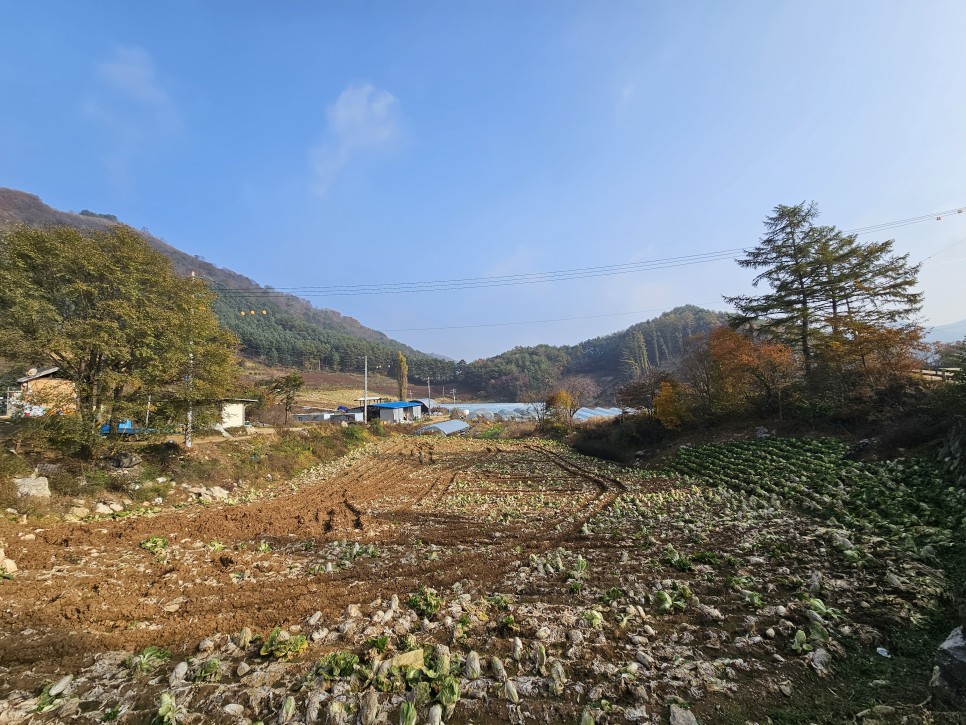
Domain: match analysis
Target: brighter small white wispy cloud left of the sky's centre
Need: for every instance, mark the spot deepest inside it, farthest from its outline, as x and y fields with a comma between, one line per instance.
x=363, y=118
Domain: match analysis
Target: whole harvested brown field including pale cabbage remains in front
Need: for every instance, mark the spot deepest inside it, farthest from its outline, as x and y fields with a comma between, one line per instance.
x=562, y=568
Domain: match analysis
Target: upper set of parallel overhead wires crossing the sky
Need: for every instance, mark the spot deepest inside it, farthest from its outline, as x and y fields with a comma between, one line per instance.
x=510, y=280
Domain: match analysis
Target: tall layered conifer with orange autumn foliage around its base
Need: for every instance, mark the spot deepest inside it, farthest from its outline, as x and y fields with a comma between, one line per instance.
x=847, y=308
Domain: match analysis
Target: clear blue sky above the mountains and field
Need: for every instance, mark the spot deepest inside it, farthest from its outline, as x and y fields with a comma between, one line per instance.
x=313, y=144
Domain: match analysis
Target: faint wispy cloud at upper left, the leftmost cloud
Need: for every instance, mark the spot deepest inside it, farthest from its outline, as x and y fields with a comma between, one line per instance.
x=130, y=106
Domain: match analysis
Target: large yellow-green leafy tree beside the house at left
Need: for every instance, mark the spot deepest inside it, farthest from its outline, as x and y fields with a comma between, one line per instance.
x=108, y=310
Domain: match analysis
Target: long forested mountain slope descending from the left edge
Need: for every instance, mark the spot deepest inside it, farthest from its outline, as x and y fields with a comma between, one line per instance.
x=292, y=332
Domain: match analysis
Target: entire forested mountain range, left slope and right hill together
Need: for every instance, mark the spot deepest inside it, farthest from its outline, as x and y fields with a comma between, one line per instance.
x=292, y=332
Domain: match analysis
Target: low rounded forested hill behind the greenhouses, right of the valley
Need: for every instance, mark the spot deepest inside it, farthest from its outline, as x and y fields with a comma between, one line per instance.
x=610, y=360
